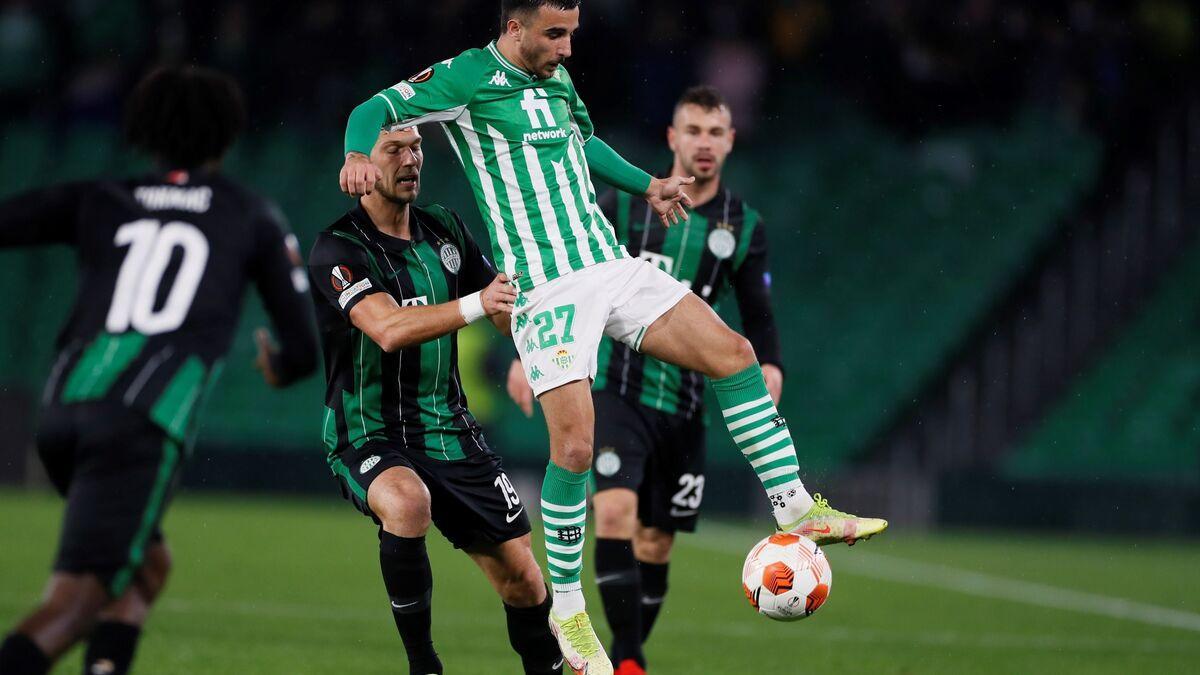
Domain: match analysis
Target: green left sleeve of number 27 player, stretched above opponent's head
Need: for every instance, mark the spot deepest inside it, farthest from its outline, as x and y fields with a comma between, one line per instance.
x=440, y=93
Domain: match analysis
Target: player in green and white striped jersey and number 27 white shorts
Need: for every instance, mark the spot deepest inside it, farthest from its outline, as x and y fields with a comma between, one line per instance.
x=529, y=150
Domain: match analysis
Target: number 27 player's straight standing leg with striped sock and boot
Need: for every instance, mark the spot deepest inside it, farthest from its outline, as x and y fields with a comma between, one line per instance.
x=571, y=421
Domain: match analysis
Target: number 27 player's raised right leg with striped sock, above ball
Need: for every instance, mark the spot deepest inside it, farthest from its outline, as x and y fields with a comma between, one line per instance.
x=692, y=336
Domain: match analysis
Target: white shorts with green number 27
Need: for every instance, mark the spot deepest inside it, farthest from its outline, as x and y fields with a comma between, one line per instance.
x=557, y=327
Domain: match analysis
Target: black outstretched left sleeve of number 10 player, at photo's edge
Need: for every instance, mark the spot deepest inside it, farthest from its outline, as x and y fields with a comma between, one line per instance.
x=50, y=216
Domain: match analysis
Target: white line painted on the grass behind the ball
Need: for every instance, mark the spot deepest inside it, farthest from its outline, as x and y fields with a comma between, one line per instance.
x=903, y=571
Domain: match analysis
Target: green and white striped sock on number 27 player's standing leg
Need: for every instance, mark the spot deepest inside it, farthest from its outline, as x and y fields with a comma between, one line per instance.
x=565, y=509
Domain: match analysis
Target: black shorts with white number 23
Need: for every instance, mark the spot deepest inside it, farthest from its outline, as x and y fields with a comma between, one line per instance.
x=658, y=456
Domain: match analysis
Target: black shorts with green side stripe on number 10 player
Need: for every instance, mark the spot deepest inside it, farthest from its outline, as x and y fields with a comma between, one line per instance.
x=118, y=473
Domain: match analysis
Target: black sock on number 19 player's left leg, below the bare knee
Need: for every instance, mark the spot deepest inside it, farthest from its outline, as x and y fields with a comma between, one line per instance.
x=410, y=582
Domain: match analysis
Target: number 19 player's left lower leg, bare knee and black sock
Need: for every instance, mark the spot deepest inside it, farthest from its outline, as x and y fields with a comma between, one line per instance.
x=401, y=503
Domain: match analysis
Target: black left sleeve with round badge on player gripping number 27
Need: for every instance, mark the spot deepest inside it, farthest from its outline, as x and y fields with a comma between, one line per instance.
x=343, y=274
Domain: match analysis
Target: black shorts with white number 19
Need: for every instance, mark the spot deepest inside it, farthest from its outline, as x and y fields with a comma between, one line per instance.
x=472, y=499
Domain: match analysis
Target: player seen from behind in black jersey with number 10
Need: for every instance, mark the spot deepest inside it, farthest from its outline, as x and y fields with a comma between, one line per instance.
x=164, y=265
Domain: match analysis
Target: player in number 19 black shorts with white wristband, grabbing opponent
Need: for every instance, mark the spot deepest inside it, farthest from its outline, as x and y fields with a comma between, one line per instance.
x=393, y=284
